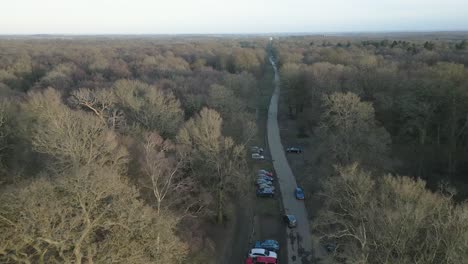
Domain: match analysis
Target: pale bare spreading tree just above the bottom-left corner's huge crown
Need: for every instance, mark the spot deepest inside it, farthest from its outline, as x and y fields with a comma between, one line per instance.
x=71, y=138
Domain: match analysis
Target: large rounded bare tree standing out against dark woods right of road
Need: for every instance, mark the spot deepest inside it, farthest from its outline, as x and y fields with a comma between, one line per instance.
x=349, y=131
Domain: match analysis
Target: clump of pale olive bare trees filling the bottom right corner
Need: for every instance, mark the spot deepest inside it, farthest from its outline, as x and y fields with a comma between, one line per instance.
x=390, y=220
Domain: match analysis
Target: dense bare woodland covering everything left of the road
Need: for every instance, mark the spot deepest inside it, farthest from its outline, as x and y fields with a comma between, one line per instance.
x=122, y=150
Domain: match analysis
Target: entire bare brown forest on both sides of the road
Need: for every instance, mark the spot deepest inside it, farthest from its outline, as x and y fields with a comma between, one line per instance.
x=135, y=149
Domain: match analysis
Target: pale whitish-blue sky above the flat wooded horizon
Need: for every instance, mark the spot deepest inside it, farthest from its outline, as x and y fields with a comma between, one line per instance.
x=228, y=16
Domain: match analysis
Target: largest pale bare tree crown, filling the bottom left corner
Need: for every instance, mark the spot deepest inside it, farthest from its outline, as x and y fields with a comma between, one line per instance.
x=88, y=215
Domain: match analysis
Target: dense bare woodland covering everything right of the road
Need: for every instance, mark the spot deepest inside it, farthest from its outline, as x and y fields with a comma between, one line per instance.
x=379, y=108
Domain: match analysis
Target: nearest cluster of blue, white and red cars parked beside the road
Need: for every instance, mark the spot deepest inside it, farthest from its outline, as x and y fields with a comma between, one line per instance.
x=263, y=252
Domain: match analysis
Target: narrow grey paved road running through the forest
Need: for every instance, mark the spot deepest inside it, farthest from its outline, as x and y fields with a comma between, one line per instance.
x=298, y=239
